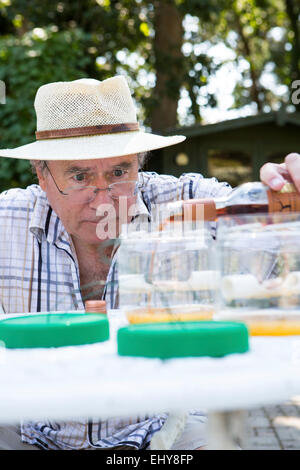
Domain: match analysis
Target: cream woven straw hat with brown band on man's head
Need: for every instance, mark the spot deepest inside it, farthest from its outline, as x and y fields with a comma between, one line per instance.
x=87, y=119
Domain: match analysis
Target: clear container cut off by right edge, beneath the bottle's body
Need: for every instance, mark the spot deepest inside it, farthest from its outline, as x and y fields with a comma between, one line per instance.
x=259, y=263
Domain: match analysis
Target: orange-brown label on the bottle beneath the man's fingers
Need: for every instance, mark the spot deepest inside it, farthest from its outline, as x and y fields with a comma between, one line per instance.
x=286, y=200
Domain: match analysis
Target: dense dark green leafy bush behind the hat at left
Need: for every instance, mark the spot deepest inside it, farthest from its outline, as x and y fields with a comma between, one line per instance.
x=28, y=62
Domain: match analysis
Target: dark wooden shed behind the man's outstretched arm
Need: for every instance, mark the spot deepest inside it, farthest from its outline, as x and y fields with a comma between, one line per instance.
x=232, y=150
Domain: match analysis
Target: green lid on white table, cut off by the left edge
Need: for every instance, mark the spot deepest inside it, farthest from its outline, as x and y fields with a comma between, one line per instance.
x=53, y=330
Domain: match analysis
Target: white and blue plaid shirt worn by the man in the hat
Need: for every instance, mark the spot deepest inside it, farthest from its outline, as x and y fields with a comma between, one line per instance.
x=39, y=272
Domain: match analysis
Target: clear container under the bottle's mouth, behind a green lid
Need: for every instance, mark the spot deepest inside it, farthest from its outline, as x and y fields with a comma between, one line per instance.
x=167, y=275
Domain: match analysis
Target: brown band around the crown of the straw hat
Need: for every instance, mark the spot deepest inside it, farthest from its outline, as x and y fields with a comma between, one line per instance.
x=89, y=130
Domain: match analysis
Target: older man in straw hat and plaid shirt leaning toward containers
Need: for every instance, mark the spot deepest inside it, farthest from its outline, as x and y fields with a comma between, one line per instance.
x=87, y=156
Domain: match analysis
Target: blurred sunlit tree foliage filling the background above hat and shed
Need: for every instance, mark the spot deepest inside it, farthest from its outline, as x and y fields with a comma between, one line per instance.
x=47, y=40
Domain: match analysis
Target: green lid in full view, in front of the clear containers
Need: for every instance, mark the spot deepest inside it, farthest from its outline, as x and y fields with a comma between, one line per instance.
x=167, y=340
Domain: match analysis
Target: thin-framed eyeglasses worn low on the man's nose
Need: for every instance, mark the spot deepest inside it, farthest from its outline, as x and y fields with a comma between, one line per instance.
x=83, y=193
